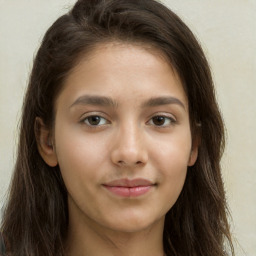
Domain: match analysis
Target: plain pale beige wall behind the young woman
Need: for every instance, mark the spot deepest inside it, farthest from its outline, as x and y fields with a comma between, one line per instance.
x=227, y=31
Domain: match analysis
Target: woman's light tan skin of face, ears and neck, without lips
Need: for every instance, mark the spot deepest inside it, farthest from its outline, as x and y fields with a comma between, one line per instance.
x=126, y=143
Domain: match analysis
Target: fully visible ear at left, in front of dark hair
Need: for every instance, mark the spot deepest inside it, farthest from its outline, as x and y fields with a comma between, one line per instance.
x=45, y=142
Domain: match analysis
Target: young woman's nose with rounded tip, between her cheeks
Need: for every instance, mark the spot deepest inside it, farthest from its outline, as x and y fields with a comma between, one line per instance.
x=129, y=148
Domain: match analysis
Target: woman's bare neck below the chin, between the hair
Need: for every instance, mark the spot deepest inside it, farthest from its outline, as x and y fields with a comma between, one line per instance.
x=88, y=238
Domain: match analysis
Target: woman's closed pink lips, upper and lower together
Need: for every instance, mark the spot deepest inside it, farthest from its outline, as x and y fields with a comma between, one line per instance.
x=129, y=188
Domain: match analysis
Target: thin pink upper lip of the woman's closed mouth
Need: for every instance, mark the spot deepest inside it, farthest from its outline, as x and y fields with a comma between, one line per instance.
x=129, y=183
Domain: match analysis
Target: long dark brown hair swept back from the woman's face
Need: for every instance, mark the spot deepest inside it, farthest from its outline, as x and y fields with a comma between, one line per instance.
x=36, y=217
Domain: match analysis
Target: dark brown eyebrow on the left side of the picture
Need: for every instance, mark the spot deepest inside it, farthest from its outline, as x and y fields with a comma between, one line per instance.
x=95, y=100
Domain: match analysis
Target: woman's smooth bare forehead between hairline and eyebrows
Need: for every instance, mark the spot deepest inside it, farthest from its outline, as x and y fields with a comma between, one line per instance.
x=126, y=70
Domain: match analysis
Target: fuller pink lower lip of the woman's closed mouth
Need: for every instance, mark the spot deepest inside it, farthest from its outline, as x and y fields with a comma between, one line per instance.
x=129, y=192
